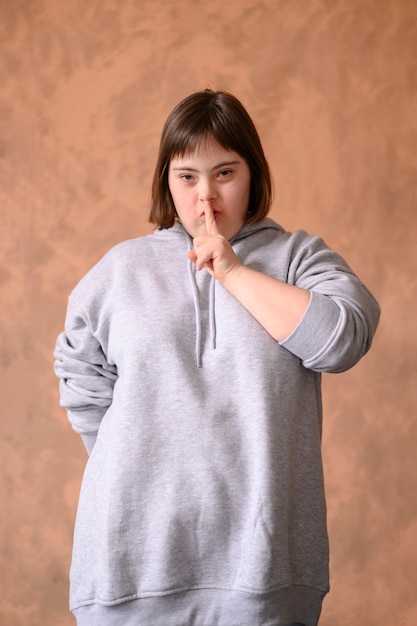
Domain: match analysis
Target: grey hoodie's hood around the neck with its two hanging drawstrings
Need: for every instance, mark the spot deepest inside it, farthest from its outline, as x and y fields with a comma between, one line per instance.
x=248, y=238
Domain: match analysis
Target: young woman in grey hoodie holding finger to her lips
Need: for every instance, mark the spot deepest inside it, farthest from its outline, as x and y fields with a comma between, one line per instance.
x=190, y=365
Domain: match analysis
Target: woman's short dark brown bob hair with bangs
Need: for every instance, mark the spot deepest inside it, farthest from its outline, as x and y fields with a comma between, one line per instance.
x=210, y=115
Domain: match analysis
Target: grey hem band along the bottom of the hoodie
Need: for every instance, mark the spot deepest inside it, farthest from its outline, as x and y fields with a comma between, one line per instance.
x=208, y=607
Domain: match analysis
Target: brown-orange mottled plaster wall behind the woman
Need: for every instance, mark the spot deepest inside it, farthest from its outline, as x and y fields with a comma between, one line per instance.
x=85, y=86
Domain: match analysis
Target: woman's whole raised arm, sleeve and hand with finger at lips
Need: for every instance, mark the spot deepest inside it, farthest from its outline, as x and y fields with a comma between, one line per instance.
x=328, y=321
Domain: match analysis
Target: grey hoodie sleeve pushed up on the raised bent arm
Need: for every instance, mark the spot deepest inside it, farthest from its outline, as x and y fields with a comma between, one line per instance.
x=338, y=326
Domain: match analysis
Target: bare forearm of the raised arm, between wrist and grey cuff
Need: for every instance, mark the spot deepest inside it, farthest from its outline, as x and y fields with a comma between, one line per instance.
x=276, y=305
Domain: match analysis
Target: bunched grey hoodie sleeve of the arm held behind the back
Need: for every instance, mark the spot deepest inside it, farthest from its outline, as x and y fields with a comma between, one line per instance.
x=86, y=377
